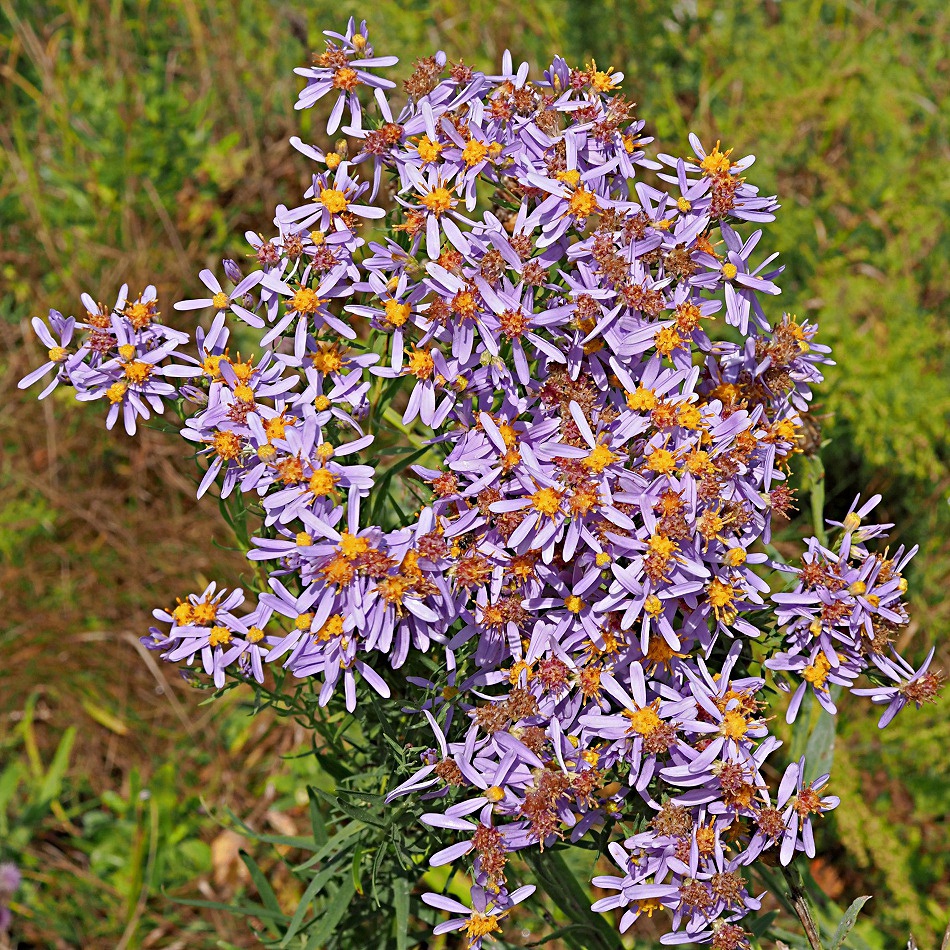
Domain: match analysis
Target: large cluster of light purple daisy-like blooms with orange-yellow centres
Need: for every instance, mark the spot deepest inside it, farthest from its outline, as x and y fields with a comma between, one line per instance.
x=506, y=458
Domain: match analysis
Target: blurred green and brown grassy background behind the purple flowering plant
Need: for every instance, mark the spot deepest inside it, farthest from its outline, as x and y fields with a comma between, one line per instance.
x=140, y=138
